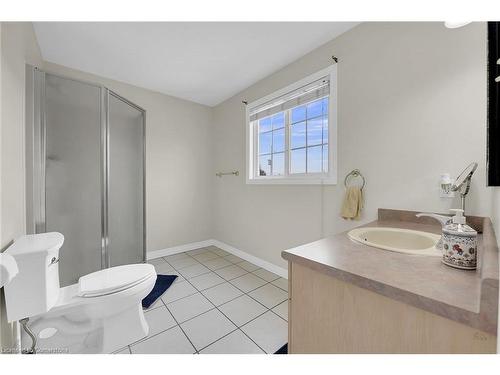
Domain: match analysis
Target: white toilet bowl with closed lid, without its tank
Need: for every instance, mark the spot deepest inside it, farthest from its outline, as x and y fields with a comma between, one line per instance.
x=110, y=312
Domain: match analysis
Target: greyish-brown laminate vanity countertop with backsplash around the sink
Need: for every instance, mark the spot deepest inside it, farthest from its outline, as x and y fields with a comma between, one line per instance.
x=468, y=297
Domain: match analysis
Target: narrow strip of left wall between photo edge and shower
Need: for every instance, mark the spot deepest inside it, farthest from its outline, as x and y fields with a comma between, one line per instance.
x=19, y=46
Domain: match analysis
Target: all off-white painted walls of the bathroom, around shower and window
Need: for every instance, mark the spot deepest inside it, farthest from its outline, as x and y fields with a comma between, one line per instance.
x=412, y=104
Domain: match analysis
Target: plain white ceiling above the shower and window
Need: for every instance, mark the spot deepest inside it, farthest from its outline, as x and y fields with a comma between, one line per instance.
x=203, y=62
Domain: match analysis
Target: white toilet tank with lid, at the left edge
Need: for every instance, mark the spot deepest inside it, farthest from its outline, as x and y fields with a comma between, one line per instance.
x=35, y=289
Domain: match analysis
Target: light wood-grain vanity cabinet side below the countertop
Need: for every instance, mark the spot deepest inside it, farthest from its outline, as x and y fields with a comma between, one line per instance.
x=328, y=315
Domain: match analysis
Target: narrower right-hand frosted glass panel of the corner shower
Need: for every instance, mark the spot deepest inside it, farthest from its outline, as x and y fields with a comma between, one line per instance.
x=125, y=229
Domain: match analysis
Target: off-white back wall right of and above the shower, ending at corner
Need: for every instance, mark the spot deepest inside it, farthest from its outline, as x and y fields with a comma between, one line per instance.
x=178, y=163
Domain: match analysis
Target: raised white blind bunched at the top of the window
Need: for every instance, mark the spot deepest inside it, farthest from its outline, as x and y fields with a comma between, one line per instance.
x=305, y=94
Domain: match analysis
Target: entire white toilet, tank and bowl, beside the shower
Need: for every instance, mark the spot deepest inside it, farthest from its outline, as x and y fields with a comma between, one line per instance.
x=100, y=314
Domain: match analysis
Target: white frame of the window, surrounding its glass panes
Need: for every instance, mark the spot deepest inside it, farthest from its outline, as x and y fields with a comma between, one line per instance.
x=330, y=178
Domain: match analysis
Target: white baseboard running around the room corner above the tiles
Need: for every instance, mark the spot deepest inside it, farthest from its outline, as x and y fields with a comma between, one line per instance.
x=283, y=272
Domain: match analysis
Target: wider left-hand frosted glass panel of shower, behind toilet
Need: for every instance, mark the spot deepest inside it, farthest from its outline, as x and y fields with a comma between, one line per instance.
x=72, y=133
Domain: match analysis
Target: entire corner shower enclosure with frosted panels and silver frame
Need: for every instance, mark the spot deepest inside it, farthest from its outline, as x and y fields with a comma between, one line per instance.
x=85, y=175
